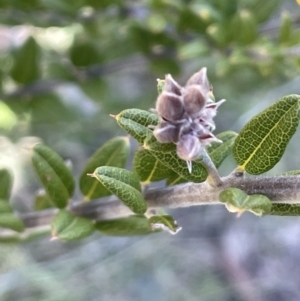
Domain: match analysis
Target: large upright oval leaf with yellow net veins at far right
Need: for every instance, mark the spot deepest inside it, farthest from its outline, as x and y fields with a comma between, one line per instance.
x=262, y=142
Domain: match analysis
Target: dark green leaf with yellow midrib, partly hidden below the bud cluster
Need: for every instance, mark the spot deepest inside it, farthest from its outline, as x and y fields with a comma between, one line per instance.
x=148, y=167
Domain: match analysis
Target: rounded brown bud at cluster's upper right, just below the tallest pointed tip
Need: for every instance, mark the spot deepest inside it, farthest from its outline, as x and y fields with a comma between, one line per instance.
x=194, y=99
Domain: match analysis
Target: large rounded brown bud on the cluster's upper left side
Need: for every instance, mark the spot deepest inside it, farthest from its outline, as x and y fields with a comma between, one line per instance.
x=169, y=107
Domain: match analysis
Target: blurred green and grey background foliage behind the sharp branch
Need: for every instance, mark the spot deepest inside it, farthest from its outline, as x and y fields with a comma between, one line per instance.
x=66, y=65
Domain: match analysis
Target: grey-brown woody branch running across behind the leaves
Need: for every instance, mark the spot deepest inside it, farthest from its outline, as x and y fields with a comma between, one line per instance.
x=277, y=189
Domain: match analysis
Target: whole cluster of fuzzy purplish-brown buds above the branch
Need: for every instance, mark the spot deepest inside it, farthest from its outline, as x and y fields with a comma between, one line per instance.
x=186, y=116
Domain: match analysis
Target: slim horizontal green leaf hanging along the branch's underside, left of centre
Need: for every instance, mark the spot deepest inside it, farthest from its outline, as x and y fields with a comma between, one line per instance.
x=126, y=226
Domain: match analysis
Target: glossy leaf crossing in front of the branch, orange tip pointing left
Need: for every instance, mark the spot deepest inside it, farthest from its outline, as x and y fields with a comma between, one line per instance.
x=124, y=184
